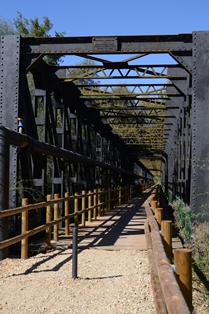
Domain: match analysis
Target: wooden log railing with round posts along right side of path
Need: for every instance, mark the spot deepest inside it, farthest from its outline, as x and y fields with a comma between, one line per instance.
x=172, y=282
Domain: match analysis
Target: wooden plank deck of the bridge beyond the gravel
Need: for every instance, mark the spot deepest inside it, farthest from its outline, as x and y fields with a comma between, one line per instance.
x=120, y=229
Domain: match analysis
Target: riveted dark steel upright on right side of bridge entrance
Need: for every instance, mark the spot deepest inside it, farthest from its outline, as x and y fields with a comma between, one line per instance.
x=200, y=125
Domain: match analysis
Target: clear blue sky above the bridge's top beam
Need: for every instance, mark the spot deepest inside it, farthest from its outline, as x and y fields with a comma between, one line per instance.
x=114, y=17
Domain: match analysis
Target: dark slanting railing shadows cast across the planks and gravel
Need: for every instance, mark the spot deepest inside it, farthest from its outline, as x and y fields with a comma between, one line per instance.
x=123, y=221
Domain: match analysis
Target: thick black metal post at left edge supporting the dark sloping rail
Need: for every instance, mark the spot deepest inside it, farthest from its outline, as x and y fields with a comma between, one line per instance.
x=4, y=186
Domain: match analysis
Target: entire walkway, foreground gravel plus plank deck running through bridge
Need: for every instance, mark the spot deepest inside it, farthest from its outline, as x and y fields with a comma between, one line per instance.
x=113, y=270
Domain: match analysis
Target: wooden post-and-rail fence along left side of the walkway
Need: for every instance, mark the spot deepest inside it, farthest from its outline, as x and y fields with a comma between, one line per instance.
x=95, y=203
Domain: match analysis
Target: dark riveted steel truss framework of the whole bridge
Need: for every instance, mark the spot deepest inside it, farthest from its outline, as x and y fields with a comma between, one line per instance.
x=141, y=106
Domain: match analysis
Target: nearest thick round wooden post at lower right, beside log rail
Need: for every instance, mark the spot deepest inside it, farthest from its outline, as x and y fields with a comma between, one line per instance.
x=183, y=263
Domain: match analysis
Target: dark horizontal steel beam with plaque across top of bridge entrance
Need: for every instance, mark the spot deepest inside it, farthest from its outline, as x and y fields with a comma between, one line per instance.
x=180, y=44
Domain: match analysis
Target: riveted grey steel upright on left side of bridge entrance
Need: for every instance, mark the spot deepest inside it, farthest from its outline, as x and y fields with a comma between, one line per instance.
x=9, y=98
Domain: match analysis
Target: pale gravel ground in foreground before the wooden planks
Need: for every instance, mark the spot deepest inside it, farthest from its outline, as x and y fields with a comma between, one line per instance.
x=115, y=282
